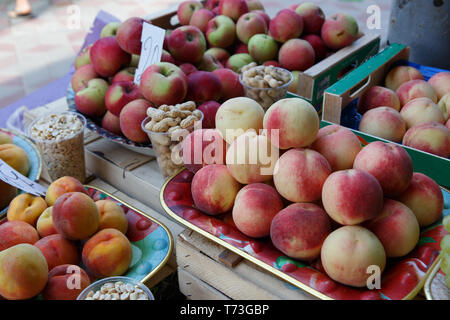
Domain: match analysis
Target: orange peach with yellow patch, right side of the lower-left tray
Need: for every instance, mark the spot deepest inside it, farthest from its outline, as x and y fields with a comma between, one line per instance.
x=108, y=253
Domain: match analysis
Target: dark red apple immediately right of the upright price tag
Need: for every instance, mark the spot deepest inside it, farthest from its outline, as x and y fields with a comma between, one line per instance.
x=187, y=44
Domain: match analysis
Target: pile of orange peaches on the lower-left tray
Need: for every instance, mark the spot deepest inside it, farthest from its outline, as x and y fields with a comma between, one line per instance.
x=43, y=242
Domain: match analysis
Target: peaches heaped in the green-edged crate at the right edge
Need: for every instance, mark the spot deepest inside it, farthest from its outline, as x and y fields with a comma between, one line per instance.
x=409, y=110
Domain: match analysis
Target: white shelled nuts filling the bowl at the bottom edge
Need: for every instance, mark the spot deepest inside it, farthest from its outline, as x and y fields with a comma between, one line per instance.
x=117, y=291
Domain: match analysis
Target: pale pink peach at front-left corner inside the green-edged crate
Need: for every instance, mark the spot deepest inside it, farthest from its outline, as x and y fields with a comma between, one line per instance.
x=383, y=122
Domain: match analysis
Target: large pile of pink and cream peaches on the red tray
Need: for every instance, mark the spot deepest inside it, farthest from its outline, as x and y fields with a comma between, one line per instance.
x=314, y=192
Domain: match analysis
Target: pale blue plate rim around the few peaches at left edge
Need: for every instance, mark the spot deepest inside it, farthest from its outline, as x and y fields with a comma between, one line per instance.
x=33, y=154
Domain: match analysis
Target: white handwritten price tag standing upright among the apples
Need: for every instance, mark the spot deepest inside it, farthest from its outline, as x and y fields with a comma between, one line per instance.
x=152, y=45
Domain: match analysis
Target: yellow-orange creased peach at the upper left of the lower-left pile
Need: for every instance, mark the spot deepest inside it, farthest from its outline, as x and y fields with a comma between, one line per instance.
x=27, y=208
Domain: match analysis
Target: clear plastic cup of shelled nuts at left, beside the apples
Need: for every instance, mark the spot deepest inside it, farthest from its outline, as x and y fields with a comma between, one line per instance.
x=59, y=137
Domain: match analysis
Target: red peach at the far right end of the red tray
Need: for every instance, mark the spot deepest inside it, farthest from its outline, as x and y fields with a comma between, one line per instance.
x=424, y=197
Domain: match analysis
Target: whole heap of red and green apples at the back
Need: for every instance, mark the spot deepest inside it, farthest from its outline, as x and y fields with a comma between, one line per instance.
x=201, y=59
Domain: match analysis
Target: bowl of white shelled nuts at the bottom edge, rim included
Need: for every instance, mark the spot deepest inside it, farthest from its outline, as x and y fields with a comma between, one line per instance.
x=116, y=288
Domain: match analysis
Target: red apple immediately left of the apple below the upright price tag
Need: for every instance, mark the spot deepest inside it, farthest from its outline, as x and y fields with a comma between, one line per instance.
x=119, y=94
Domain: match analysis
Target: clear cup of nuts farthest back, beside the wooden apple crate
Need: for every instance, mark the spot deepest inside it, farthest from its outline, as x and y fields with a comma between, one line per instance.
x=265, y=84
